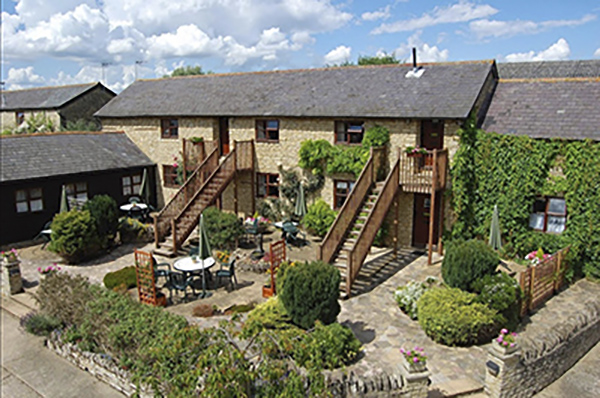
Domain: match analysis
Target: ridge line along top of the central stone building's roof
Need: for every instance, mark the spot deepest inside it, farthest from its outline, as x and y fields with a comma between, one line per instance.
x=265, y=72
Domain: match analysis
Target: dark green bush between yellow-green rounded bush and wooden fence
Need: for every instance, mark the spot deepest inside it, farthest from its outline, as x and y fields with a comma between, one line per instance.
x=502, y=293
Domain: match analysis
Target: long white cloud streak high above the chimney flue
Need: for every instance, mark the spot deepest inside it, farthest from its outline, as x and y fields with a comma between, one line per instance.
x=463, y=11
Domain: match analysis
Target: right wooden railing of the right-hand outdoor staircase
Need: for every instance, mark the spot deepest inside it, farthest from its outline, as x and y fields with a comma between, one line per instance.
x=361, y=247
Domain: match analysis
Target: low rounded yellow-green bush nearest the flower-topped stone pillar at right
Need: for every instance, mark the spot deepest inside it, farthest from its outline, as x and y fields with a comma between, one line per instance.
x=453, y=317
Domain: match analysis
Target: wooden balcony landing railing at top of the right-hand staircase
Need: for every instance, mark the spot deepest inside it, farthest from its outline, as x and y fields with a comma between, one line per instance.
x=419, y=173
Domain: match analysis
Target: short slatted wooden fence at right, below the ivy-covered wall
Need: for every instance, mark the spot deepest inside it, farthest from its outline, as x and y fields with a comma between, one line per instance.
x=540, y=282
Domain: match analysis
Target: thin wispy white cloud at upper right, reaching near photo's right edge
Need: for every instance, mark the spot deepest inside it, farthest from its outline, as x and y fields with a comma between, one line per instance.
x=491, y=28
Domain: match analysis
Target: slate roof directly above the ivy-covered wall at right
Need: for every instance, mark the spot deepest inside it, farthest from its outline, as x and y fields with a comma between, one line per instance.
x=546, y=108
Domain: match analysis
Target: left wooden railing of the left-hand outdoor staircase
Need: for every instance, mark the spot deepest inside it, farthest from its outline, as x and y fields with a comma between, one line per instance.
x=162, y=221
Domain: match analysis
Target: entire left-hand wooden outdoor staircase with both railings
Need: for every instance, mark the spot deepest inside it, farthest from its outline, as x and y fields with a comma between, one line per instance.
x=172, y=228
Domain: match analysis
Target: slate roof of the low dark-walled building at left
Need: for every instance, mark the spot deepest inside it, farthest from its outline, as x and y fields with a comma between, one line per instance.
x=44, y=155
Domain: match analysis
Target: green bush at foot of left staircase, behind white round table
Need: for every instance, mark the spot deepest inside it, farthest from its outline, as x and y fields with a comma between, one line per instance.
x=223, y=229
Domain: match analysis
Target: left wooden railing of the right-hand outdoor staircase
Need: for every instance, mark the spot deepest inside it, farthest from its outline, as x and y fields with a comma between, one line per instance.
x=333, y=239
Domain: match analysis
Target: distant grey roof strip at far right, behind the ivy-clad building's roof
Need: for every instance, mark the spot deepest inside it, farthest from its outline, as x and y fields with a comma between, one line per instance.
x=549, y=69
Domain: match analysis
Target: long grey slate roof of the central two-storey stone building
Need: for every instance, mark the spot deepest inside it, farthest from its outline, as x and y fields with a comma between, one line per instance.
x=445, y=90
